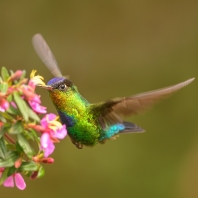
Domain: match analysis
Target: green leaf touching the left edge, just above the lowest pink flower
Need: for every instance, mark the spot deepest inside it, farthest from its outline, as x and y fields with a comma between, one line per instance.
x=11, y=157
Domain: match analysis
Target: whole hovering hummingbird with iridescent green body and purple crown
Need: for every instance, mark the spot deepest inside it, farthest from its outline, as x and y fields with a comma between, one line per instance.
x=87, y=123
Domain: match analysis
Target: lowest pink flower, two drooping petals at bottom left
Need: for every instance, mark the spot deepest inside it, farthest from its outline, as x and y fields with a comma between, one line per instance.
x=17, y=178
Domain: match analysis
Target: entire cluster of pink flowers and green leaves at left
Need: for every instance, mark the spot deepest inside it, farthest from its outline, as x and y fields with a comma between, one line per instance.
x=20, y=123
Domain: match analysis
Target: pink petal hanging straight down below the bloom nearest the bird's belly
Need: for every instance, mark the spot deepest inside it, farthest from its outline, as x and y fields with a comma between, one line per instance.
x=47, y=145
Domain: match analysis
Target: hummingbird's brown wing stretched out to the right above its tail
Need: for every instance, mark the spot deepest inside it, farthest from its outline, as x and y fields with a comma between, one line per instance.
x=111, y=112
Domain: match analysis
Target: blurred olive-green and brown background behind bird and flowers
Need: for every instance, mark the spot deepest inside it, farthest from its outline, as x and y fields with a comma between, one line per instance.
x=115, y=48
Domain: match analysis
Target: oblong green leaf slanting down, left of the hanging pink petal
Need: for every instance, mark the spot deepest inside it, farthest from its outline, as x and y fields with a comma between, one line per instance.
x=25, y=145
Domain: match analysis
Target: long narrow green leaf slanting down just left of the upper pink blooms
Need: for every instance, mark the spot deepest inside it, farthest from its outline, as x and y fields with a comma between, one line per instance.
x=21, y=105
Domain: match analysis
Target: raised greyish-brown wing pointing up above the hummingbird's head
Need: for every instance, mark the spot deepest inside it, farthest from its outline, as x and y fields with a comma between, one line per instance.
x=43, y=51
